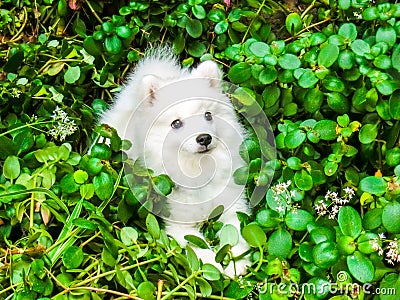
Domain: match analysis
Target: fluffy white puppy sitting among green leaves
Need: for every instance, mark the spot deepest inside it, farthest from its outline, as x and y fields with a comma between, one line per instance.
x=181, y=124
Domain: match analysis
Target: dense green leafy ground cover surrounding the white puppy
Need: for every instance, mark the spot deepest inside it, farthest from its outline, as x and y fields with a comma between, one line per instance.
x=326, y=73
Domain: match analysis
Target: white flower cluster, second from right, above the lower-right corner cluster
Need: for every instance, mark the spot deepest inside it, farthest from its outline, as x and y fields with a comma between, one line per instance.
x=332, y=203
